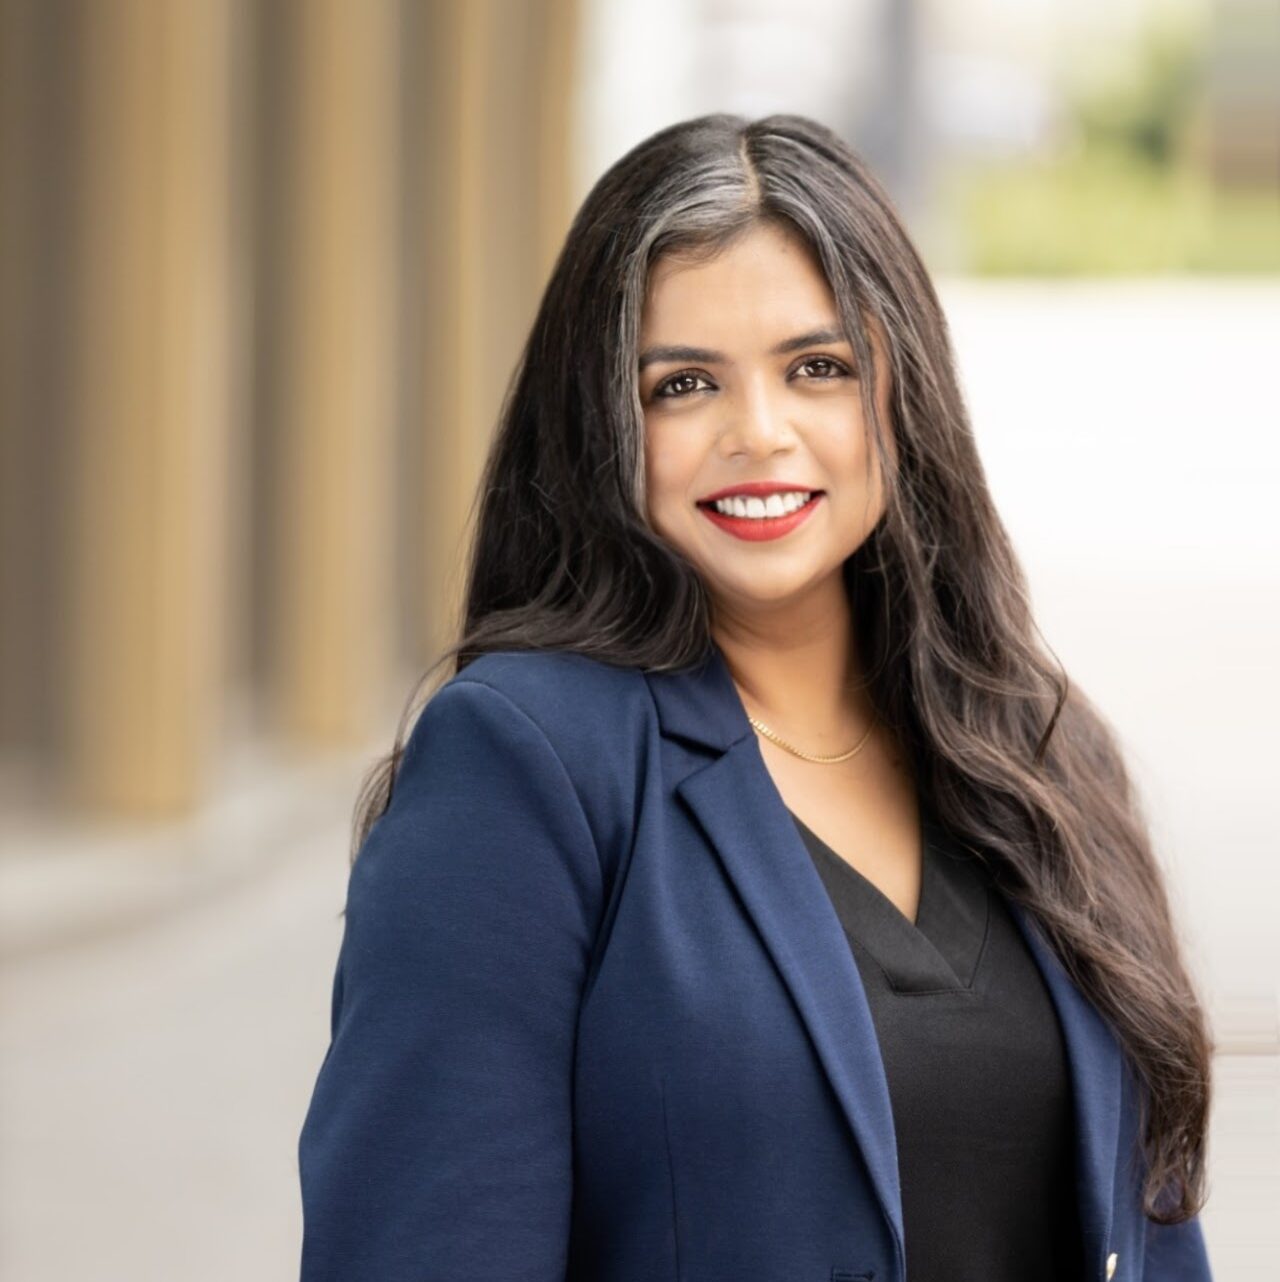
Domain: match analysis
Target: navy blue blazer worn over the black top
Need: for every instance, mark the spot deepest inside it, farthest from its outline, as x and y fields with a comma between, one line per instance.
x=596, y=1019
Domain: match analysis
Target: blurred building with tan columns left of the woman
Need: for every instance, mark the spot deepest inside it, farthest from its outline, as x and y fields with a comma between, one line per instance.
x=249, y=357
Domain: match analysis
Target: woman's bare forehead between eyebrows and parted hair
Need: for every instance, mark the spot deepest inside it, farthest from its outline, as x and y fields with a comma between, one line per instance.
x=769, y=279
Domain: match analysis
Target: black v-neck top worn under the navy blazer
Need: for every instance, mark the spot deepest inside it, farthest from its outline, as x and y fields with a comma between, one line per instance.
x=977, y=1070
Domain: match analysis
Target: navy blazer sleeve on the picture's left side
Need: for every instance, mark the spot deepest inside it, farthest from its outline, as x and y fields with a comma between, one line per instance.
x=438, y=1144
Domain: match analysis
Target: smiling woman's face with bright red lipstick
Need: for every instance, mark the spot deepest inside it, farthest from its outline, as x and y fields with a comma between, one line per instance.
x=747, y=381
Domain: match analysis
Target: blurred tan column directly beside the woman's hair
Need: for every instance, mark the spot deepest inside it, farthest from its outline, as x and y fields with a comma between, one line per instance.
x=496, y=148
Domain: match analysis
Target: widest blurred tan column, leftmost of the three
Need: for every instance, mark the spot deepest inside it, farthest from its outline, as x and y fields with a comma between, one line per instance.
x=152, y=406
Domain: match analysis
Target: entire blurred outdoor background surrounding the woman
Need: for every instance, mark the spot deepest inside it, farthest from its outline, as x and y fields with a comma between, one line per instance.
x=265, y=272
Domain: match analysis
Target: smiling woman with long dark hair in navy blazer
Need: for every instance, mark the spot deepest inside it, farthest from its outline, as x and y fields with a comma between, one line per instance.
x=756, y=899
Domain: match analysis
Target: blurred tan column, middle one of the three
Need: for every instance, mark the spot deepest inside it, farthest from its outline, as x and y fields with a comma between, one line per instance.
x=332, y=589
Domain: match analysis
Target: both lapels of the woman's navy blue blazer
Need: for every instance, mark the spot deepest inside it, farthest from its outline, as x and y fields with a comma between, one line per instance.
x=737, y=803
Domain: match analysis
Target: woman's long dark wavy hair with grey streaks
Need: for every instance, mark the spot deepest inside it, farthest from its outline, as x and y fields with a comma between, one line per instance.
x=1014, y=757
